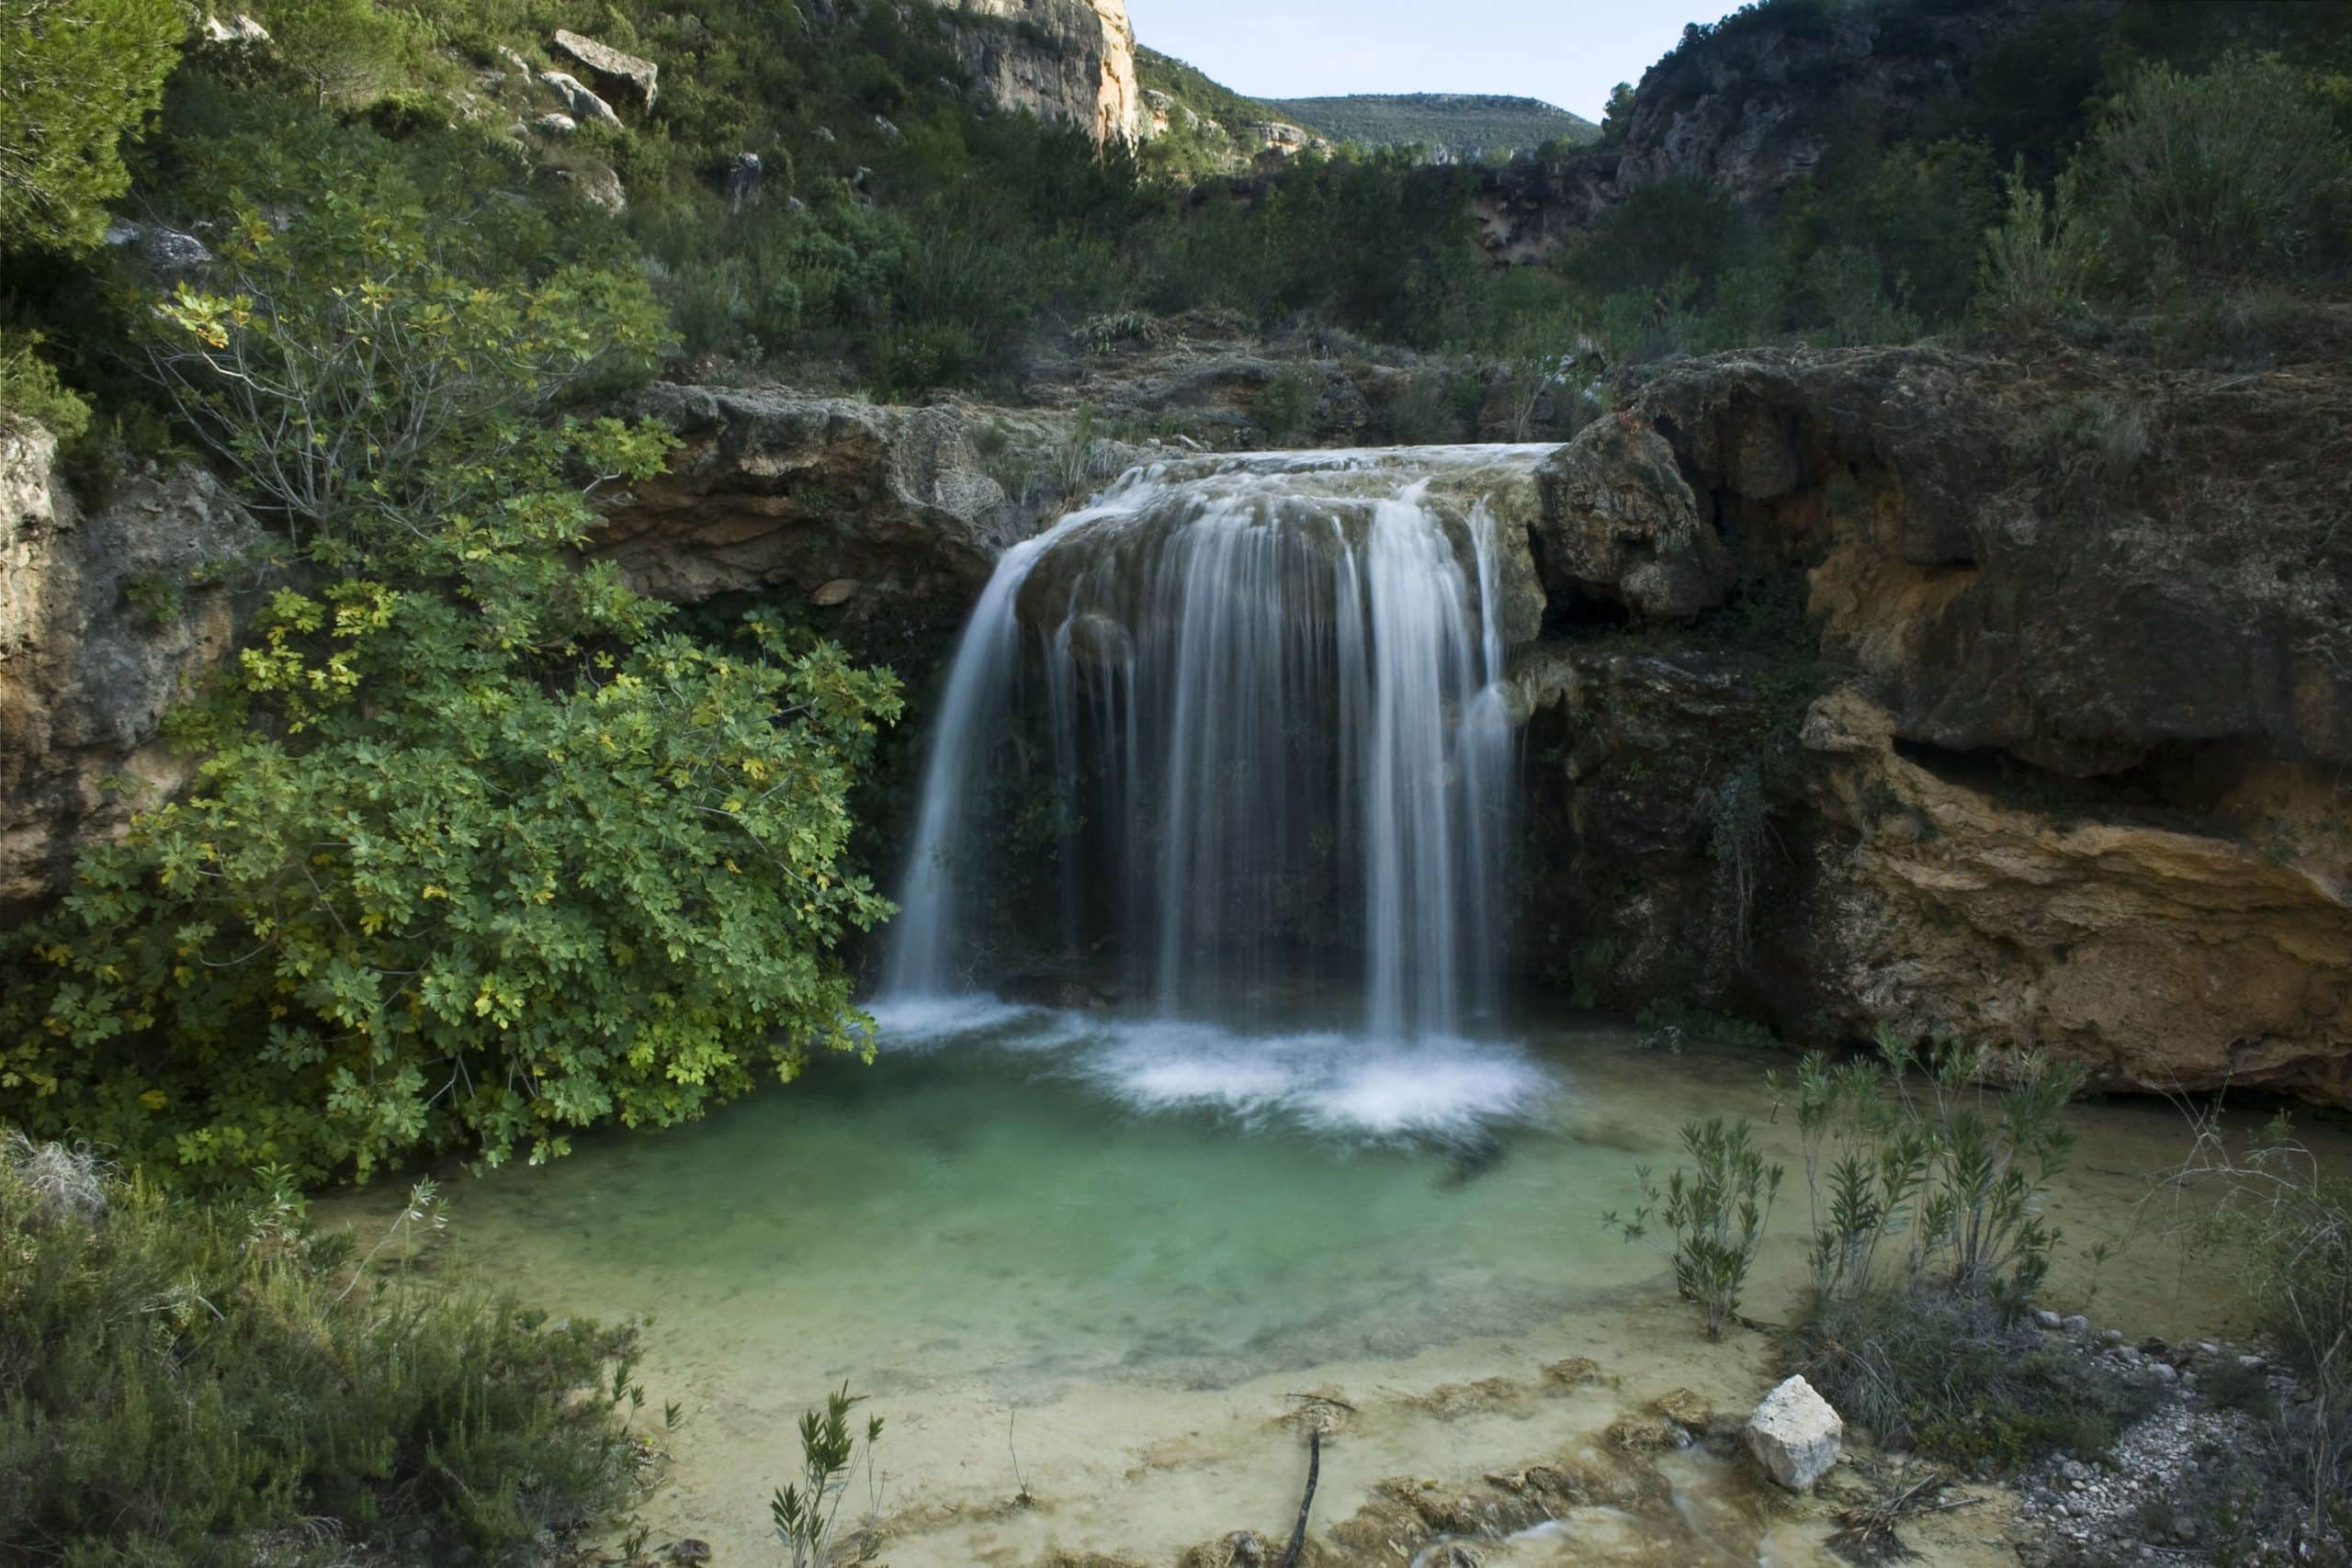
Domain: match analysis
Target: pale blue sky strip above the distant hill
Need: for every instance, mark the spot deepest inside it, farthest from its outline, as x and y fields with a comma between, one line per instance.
x=1565, y=53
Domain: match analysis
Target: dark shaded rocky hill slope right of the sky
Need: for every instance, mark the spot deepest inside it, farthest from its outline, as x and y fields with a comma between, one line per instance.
x=1749, y=107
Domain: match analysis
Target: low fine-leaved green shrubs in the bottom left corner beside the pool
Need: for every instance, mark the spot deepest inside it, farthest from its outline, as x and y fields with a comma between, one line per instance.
x=208, y=1383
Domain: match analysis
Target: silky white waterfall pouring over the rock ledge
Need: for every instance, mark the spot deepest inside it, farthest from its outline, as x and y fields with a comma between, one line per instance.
x=1234, y=718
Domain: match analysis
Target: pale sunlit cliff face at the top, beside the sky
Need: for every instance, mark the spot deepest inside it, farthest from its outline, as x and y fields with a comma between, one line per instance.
x=1060, y=60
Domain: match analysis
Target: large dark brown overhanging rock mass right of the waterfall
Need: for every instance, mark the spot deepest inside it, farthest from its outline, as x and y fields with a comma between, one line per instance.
x=2043, y=678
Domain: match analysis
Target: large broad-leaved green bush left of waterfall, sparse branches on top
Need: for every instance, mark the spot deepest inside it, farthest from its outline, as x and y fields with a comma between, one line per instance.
x=479, y=852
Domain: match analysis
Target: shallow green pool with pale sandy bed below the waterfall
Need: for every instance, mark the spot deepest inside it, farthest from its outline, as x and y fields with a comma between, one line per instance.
x=1102, y=1259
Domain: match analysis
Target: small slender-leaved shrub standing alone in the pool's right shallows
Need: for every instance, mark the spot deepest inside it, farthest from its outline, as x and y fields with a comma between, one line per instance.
x=1713, y=1209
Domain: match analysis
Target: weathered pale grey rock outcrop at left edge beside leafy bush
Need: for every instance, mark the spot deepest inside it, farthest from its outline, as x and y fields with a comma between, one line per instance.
x=107, y=617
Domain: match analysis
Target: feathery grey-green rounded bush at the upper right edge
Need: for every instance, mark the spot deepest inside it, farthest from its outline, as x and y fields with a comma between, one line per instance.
x=2229, y=173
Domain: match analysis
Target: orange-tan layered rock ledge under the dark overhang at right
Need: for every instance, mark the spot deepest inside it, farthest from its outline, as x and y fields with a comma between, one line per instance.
x=2151, y=953
